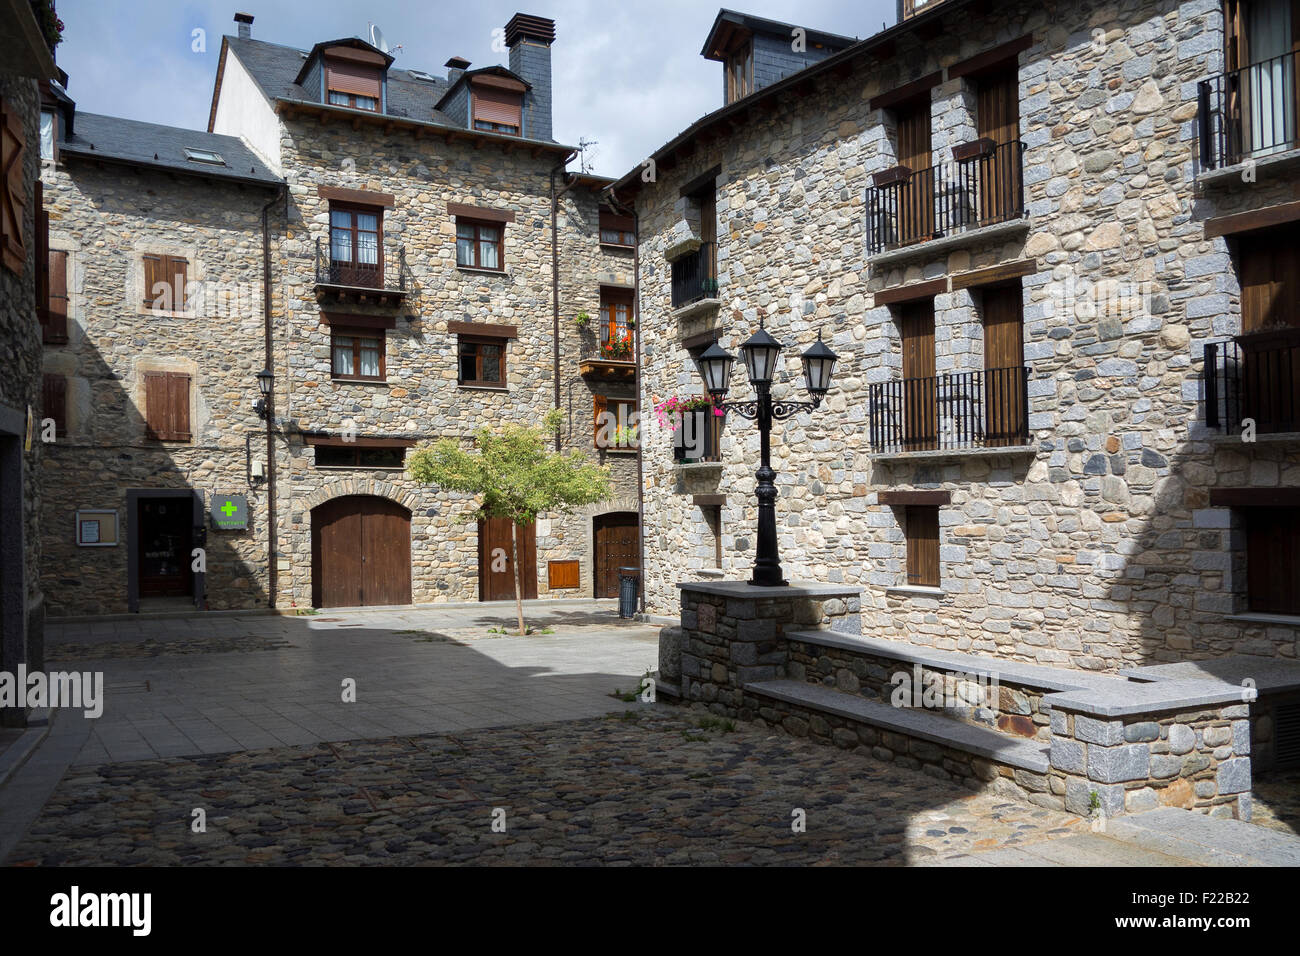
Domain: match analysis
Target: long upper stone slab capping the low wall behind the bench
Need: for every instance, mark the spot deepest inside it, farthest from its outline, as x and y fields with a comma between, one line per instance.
x=1033, y=676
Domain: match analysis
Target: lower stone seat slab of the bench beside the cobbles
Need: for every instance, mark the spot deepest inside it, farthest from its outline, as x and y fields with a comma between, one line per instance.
x=921, y=725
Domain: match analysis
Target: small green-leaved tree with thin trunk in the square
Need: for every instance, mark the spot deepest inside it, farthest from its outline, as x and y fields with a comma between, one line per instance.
x=514, y=477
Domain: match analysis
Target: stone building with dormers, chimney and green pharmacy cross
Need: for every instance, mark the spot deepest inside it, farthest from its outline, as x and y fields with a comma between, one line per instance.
x=382, y=241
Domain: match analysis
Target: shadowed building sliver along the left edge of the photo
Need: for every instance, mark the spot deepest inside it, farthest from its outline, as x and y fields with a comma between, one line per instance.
x=27, y=66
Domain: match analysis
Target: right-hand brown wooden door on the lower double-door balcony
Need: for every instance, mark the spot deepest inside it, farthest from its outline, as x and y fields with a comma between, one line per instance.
x=1004, y=364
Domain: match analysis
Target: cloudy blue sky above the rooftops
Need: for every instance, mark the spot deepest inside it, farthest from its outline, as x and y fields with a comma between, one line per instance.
x=627, y=75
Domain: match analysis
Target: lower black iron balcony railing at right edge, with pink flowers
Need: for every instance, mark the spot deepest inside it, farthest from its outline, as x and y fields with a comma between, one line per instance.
x=1254, y=379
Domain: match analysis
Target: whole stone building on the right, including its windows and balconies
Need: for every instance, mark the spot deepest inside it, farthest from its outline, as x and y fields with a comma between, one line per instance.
x=1055, y=246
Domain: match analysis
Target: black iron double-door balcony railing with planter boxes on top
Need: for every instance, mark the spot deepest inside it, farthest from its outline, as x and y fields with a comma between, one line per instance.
x=983, y=188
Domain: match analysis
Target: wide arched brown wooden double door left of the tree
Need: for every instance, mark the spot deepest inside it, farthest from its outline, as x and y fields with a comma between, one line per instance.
x=361, y=553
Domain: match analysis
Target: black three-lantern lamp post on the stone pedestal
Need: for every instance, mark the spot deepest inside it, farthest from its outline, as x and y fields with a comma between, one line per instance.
x=760, y=356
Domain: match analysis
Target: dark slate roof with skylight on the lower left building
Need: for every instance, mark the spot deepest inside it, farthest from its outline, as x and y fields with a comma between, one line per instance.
x=151, y=145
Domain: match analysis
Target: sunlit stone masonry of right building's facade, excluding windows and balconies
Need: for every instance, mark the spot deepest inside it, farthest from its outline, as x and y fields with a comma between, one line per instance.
x=1097, y=547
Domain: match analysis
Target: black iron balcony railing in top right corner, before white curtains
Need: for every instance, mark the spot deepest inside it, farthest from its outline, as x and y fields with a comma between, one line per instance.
x=1249, y=114
